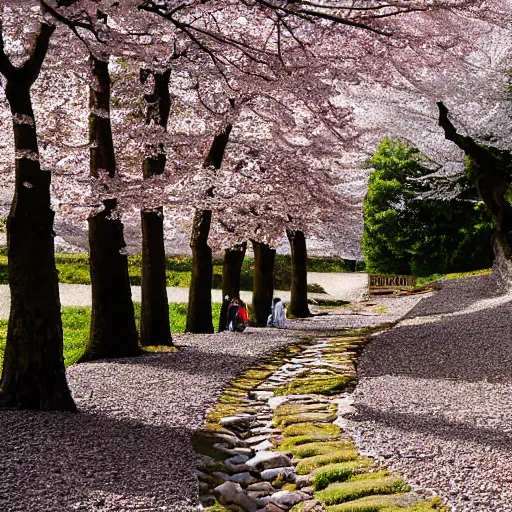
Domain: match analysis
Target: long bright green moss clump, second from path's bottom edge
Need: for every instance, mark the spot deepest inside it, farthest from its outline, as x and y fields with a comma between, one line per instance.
x=359, y=486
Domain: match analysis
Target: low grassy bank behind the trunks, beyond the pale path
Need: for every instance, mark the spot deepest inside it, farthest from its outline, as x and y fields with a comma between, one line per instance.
x=74, y=269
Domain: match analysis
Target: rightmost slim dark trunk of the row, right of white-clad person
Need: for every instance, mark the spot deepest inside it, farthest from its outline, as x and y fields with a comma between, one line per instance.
x=299, y=293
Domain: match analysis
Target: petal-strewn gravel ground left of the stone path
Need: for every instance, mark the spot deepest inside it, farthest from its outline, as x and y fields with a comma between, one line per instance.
x=128, y=447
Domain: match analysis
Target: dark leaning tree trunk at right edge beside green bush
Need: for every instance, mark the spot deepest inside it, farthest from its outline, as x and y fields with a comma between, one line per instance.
x=489, y=170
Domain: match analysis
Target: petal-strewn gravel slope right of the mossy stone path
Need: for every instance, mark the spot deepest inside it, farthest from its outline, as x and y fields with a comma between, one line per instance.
x=434, y=397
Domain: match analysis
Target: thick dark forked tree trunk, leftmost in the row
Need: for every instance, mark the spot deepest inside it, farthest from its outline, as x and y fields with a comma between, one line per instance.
x=33, y=375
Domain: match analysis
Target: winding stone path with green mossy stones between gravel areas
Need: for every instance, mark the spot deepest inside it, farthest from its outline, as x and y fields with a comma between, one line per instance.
x=284, y=448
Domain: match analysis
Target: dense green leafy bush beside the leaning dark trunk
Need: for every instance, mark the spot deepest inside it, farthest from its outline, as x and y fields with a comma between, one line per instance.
x=407, y=234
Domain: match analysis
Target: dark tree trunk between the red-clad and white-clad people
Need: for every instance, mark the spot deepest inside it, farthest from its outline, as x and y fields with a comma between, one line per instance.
x=263, y=287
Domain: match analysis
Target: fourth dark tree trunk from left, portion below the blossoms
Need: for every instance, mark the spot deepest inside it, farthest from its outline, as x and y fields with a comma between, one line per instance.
x=199, y=313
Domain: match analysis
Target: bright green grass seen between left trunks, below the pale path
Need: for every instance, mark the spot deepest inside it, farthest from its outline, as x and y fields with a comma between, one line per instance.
x=76, y=322
